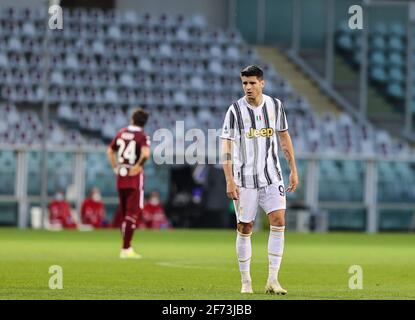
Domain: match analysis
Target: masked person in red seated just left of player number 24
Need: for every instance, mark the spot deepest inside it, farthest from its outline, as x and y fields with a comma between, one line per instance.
x=93, y=210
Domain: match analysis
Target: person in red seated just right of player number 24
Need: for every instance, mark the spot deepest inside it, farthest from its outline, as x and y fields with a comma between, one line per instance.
x=153, y=216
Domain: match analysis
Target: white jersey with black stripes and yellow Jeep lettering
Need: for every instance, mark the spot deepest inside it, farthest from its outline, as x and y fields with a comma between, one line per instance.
x=255, y=148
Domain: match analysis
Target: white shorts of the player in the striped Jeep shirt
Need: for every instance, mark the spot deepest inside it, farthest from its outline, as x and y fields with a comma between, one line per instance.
x=269, y=198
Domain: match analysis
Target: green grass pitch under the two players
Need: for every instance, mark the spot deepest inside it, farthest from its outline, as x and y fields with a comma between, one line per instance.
x=201, y=264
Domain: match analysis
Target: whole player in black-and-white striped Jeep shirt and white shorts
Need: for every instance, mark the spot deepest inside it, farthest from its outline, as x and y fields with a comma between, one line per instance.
x=252, y=170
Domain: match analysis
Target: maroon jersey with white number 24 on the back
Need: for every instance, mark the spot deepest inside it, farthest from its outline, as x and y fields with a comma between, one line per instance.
x=127, y=143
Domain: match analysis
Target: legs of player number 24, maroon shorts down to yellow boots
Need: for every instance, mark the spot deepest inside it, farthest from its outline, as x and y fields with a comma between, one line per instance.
x=129, y=223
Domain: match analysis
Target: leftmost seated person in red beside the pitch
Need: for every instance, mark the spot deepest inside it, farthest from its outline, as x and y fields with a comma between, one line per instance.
x=60, y=213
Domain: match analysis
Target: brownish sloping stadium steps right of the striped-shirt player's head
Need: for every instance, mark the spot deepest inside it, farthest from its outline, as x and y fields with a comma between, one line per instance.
x=301, y=83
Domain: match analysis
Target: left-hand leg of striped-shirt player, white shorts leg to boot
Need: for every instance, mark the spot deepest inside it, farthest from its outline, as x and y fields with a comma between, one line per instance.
x=245, y=210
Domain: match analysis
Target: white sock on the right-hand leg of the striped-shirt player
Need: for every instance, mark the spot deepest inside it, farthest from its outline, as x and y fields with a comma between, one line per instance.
x=275, y=251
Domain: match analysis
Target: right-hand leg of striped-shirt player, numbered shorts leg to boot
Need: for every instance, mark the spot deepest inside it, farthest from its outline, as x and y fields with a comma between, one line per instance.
x=272, y=200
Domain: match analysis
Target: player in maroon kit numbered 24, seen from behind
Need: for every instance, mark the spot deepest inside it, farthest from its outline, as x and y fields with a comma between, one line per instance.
x=127, y=153
